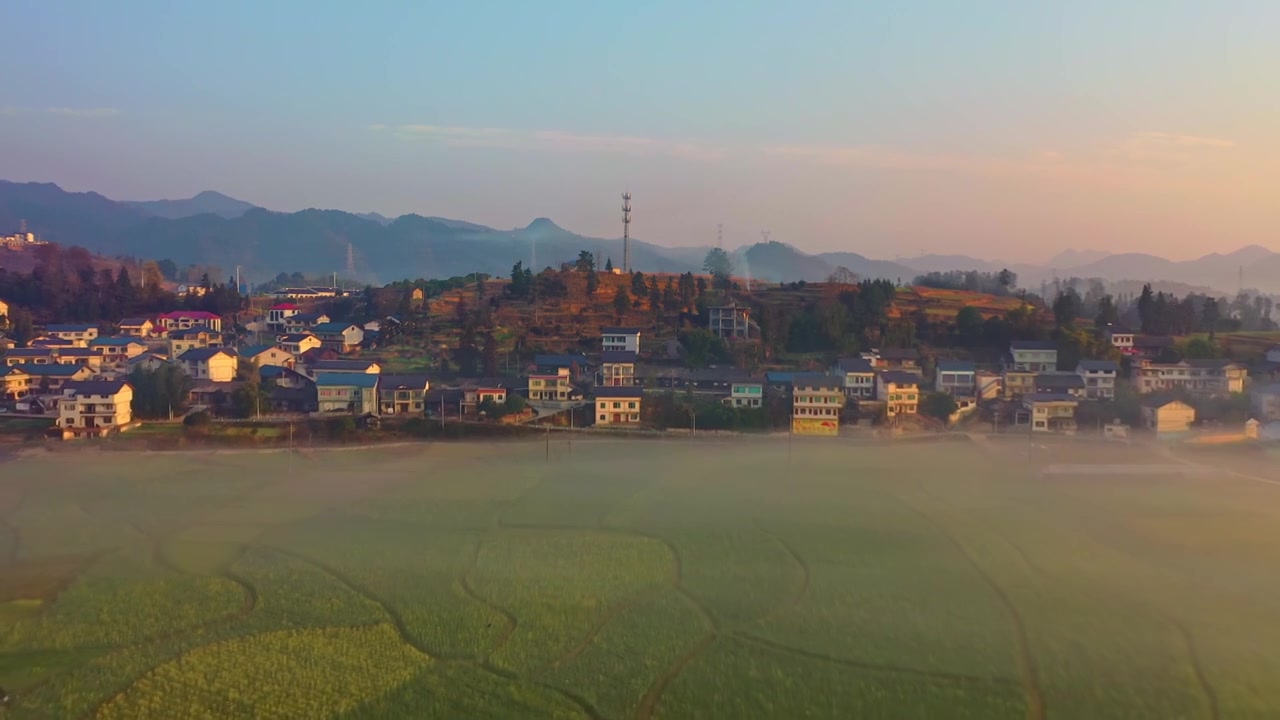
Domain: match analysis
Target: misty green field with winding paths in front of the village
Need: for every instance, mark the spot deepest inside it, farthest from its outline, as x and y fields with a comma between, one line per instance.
x=641, y=580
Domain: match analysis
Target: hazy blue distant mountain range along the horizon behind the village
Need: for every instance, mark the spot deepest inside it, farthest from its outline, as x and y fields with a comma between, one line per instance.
x=216, y=230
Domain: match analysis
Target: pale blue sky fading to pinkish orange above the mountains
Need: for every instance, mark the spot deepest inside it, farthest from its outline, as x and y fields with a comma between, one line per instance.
x=1003, y=130
